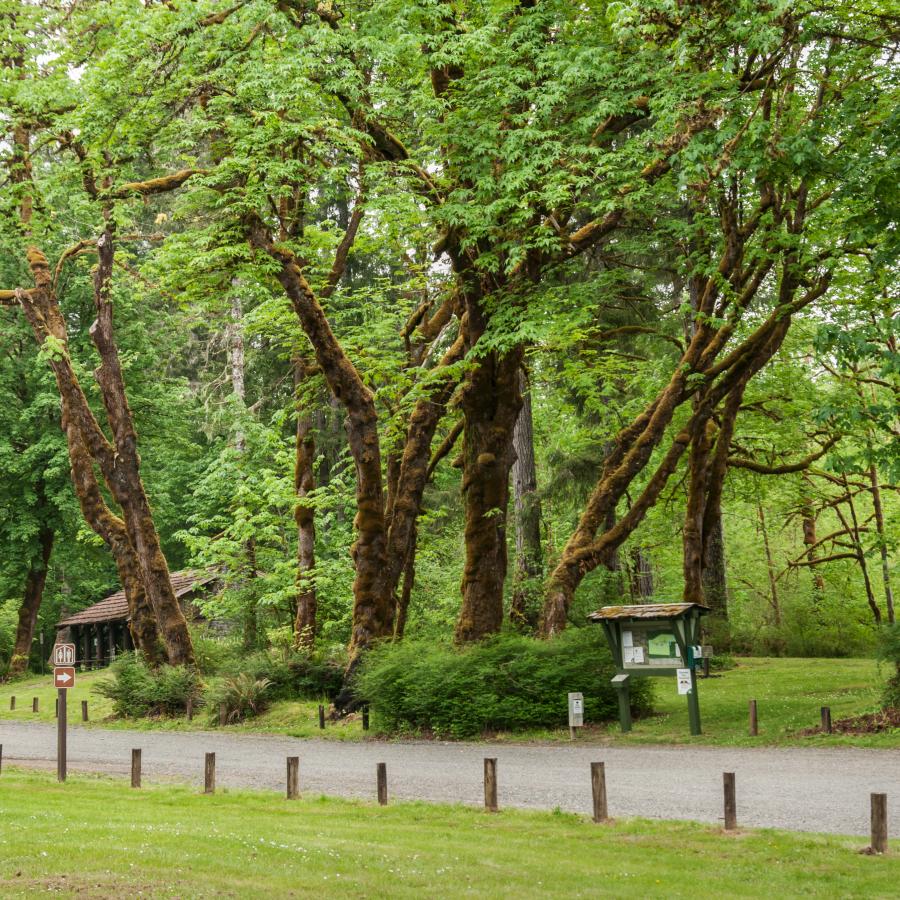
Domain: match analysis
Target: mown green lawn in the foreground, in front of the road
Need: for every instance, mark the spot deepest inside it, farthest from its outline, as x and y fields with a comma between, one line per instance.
x=97, y=838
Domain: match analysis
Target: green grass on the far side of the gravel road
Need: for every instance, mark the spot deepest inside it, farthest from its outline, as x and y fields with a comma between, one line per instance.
x=789, y=692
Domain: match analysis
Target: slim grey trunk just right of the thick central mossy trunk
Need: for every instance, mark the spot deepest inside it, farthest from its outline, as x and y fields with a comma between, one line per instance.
x=529, y=553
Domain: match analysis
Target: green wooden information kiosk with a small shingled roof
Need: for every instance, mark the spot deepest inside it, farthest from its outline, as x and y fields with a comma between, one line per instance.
x=654, y=639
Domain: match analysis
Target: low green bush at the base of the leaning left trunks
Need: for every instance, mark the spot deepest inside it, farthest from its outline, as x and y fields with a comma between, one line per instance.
x=138, y=691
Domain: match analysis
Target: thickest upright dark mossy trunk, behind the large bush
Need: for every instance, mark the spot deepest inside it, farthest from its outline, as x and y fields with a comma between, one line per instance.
x=490, y=403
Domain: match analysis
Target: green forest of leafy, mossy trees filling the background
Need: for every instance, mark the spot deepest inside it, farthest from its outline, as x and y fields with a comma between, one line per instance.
x=428, y=320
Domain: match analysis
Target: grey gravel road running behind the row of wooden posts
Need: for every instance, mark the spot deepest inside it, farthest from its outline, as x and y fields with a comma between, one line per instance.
x=813, y=789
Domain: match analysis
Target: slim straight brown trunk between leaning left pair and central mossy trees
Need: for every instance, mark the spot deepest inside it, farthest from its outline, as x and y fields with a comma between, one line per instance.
x=304, y=514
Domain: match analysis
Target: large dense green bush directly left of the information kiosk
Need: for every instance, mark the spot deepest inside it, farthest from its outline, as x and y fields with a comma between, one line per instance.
x=508, y=682
